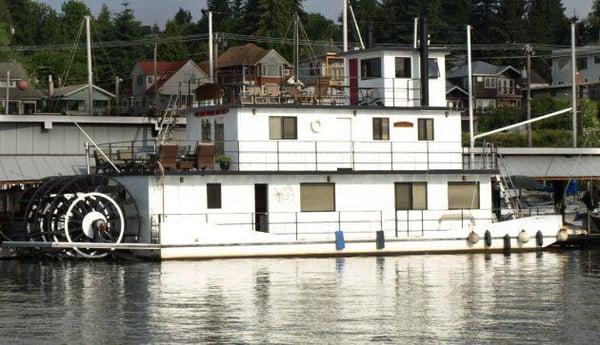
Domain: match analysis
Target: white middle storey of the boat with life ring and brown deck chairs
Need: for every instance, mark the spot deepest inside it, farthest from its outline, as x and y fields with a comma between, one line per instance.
x=269, y=138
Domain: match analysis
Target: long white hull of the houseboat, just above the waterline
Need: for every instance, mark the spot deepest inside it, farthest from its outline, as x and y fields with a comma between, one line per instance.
x=209, y=244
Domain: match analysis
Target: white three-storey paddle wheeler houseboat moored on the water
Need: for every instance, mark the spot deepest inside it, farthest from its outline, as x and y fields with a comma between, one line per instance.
x=377, y=167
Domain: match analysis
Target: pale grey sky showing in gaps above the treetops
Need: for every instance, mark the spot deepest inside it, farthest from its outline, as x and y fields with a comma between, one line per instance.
x=159, y=11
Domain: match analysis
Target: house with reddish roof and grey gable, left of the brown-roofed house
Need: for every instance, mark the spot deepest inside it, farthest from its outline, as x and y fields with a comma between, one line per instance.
x=175, y=82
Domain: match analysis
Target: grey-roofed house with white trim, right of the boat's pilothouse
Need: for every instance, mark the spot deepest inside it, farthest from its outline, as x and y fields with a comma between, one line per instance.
x=493, y=86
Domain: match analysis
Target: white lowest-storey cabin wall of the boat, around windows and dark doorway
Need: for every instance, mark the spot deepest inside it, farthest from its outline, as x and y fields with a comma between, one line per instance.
x=357, y=197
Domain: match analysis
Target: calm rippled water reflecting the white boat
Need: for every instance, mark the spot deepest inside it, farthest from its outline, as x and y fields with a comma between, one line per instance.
x=525, y=298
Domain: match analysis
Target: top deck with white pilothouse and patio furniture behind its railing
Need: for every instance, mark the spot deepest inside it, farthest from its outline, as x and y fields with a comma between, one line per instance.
x=370, y=78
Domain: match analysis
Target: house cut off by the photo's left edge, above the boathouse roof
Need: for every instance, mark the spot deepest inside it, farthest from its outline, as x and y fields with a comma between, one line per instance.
x=24, y=99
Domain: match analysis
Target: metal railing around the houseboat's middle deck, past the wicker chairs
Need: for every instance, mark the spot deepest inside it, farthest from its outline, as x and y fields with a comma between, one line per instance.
x=281, y=156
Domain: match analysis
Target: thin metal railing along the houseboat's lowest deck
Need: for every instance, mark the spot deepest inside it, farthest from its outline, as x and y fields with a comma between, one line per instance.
x=304, y=225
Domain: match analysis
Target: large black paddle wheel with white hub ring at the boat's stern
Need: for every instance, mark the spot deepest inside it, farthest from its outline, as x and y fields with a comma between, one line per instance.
x=84, y=209
